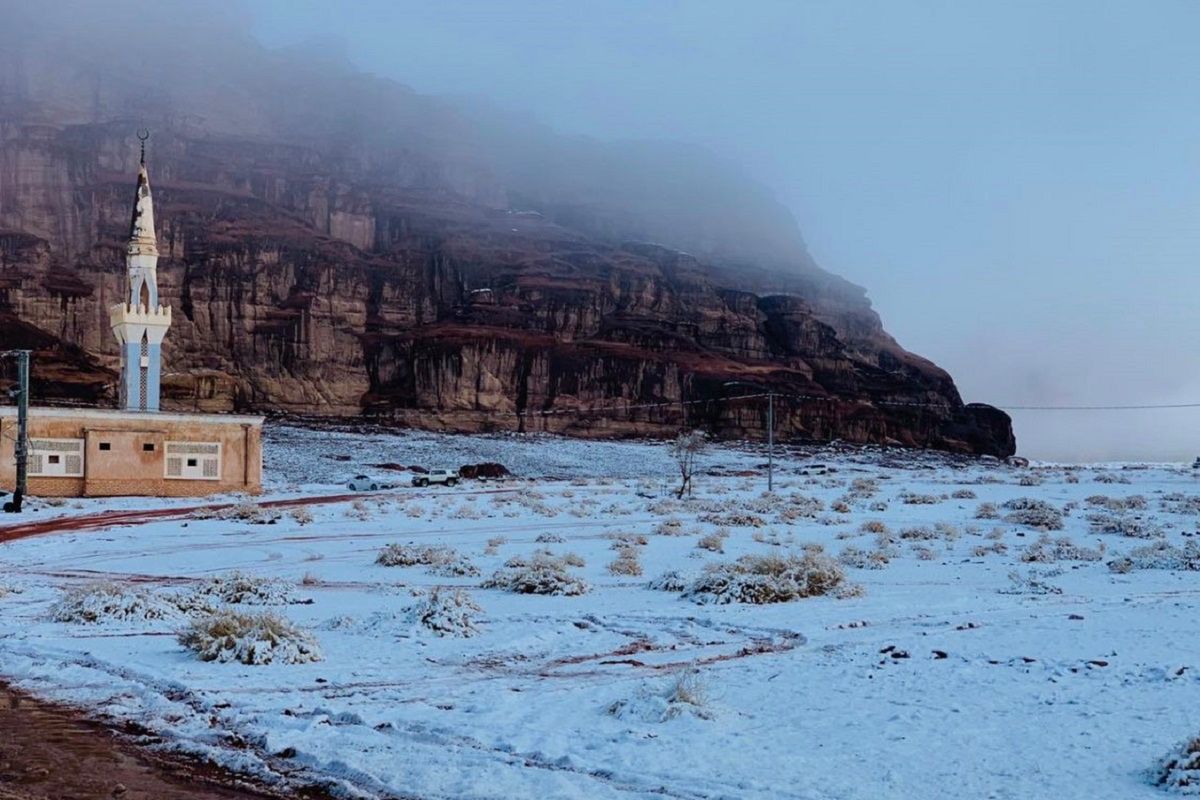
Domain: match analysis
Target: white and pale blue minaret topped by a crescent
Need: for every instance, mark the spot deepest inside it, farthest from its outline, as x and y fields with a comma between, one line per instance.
x=141, y=323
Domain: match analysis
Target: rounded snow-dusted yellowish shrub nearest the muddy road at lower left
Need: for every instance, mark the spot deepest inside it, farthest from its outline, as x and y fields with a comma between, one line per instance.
x=250, y=640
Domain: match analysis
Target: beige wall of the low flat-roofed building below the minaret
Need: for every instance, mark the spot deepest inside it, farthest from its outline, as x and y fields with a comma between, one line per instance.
x=127, y=467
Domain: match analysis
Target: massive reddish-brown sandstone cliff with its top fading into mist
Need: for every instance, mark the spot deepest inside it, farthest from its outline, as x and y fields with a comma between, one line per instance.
x=328, y=274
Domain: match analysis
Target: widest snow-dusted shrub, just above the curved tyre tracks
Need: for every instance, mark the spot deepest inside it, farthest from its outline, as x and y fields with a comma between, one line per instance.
x=767, y=580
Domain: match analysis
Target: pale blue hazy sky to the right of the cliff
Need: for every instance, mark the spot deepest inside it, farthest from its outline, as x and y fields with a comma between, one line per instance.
x=1017, y=184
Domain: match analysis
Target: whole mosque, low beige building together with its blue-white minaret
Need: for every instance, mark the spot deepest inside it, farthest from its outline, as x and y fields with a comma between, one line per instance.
x=136, y=449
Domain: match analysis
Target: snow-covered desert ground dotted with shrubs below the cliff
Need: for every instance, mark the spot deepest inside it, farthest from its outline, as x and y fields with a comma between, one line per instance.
x=945, y=677
